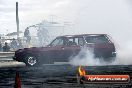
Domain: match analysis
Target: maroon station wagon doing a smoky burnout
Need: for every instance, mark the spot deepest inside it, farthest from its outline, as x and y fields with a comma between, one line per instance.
x=63, y=47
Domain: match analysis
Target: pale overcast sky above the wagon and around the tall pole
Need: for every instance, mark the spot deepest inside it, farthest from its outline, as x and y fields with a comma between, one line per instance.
x=89, y=16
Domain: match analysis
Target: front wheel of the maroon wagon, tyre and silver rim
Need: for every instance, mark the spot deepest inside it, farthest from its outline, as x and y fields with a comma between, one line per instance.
x=31, y=60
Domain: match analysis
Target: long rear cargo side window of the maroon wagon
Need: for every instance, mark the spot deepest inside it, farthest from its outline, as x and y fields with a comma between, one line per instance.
x=96, y=39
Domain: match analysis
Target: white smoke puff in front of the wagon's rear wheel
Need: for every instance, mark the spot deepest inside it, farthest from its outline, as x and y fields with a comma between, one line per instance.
x=85, y=57
